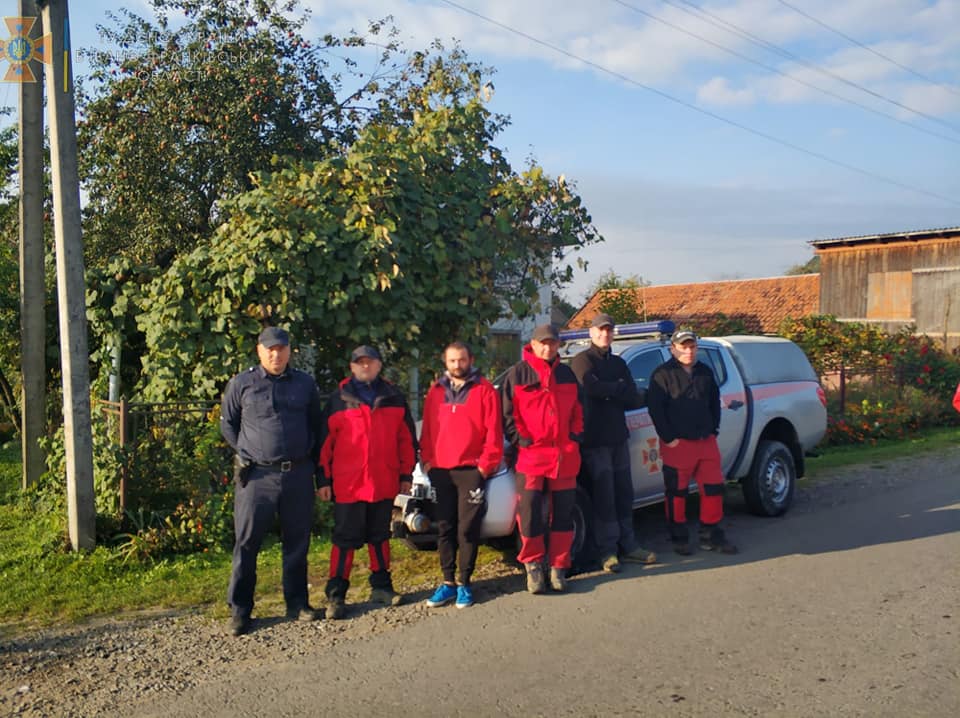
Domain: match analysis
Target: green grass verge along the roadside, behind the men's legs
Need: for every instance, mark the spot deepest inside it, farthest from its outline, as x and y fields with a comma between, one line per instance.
x=44, y=584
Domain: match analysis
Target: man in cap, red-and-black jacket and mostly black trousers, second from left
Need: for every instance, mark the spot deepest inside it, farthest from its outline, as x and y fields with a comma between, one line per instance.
x=367, y=455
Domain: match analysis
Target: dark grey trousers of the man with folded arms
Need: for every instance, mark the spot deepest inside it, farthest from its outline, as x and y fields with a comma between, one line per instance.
x=611, y=490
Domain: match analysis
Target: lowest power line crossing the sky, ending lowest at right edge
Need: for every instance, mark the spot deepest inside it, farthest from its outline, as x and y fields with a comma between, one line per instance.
x=708, y=113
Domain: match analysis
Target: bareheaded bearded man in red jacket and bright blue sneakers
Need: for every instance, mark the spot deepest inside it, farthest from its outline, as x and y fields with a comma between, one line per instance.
x=461, y=445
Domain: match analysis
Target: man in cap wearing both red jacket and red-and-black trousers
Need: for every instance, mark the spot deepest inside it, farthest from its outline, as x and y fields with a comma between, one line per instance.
x=543, y=421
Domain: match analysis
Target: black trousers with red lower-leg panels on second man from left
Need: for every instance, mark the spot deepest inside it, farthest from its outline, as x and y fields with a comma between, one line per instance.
x=354, y=524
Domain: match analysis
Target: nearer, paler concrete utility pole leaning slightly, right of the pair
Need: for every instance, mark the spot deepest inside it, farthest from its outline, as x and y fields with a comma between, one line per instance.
x=71, y=290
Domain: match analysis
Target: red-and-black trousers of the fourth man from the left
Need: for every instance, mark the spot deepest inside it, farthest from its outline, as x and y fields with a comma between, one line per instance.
x=556, y=497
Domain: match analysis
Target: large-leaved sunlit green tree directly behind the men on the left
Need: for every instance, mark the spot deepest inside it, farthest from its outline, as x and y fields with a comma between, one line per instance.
x=406, y=239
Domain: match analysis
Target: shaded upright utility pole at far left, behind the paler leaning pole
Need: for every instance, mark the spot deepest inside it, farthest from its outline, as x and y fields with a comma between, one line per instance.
x=32, y=280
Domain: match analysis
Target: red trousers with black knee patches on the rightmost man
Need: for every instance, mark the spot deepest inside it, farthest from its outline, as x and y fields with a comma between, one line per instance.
x=698, y=459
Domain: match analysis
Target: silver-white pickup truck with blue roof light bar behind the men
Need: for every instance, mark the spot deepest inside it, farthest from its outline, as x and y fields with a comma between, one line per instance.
x=773, y=413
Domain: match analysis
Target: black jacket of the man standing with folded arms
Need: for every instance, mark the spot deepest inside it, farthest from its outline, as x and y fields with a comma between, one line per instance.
x=607, y=390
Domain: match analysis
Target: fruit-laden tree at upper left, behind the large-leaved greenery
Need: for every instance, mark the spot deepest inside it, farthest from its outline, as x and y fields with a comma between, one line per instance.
x=179, y=114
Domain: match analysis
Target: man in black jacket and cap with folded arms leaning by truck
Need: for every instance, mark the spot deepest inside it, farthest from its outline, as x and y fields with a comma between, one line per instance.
x=607, y=390
